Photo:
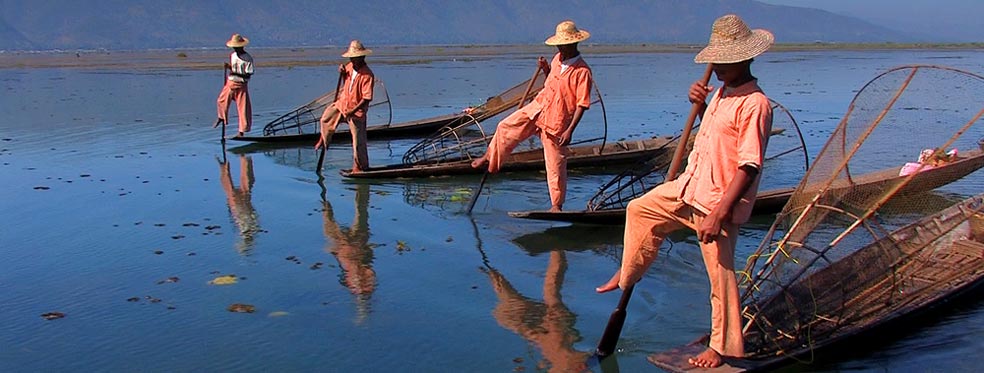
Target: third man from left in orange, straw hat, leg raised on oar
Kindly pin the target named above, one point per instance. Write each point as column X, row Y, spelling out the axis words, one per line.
column 554, row 113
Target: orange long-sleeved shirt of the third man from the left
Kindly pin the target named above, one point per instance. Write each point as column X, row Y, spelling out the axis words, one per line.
column 562, row 92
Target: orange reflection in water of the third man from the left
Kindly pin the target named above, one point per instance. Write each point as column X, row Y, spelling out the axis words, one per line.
column 548, row 324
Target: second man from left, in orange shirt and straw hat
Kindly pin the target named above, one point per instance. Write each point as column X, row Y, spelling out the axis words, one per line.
column 352, row 104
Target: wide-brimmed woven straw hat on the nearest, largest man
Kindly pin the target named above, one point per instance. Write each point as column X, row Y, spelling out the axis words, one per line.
column 732, row 41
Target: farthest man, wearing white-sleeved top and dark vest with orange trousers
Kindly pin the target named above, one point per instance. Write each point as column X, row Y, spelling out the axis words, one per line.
column 240, row 68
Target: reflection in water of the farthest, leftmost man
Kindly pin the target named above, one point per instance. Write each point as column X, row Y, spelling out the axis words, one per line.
column 240, row 202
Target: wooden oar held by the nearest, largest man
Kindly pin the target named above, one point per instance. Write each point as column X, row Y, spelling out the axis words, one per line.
column 615, row 322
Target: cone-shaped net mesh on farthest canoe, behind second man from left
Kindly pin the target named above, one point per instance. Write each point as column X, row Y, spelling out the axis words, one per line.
column 305, row 119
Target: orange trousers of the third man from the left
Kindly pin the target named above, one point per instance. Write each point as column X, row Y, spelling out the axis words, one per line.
column 518, row 127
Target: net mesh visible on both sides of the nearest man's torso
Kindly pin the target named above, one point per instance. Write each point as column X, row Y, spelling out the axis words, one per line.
column 786, row 151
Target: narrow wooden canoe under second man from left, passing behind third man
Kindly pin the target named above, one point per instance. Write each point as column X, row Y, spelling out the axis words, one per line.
column 580, row 156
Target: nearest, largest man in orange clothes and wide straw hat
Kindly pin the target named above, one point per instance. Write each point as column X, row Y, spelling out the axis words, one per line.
column 715, row 193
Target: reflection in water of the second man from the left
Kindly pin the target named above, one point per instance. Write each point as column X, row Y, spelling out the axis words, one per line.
column 352, row 250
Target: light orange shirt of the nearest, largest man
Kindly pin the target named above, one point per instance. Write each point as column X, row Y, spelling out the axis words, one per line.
column 734, row 132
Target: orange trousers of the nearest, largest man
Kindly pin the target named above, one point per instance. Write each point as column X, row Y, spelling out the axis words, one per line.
column 654, row 215
